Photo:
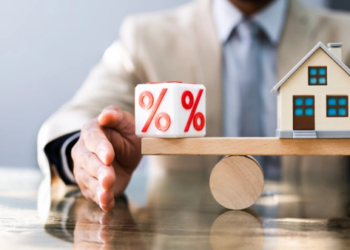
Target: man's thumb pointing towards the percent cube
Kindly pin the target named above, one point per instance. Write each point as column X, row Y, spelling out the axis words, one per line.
column 114, row 117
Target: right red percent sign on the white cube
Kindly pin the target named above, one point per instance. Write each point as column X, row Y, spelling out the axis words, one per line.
column 194, row 117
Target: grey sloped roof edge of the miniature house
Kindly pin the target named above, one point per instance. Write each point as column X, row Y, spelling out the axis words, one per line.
column 320, row 45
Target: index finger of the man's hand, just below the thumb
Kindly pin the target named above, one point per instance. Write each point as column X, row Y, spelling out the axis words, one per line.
column 96, row 141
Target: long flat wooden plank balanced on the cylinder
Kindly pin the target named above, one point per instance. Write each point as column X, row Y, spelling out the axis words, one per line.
column 244, row 146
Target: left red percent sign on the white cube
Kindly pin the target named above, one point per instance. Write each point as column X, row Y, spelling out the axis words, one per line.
column 160, row 116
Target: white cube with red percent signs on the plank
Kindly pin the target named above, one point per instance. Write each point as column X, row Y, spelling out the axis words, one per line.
column 170, row 109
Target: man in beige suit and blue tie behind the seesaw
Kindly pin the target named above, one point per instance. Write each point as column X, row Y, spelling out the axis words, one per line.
column 238, row 49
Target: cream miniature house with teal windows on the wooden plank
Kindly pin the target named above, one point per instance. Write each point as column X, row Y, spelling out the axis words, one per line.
column 313, row 96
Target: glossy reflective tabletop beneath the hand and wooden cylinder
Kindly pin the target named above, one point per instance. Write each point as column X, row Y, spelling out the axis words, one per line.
column 172, row 211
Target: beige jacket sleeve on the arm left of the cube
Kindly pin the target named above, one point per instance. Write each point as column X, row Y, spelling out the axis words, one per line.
column 111, row 82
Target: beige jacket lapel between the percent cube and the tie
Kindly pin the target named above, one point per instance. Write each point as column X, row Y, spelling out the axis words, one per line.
column 208, row 64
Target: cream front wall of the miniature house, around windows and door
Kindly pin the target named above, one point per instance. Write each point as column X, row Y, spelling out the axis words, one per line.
column 338, row 83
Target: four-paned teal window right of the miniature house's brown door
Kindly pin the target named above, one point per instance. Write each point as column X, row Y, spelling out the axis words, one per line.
column 337, row 106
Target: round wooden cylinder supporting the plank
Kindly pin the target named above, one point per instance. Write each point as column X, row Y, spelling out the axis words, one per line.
column 237, row 182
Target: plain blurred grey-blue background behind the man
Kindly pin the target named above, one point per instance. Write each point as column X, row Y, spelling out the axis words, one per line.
column 47, row 49
